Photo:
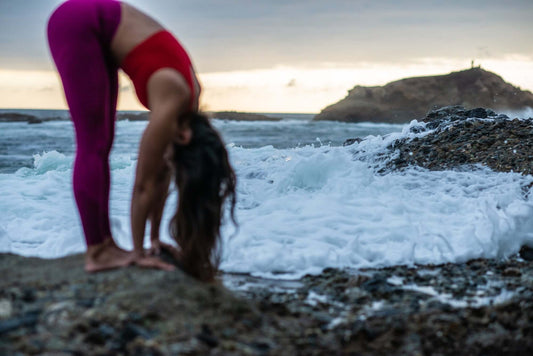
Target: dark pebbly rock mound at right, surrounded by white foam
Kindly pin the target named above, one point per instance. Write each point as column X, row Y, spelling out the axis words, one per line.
column 467, row 137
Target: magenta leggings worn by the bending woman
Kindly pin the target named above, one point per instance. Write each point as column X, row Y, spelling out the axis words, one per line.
column 79, row 35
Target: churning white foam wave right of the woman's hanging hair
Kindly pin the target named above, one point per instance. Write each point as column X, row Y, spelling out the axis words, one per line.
column 305, row 209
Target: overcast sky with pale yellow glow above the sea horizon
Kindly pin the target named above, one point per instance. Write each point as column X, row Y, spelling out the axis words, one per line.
column 268, row 55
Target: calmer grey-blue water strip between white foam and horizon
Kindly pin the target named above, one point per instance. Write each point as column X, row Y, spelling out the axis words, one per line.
column 20, row 141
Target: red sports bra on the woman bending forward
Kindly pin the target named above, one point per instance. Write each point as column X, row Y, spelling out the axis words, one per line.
column 161, row 50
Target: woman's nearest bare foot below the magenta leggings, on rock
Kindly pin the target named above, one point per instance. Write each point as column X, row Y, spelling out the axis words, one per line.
column 105, row 256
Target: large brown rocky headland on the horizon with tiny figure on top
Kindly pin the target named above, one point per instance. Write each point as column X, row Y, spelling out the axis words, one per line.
column 411, row 98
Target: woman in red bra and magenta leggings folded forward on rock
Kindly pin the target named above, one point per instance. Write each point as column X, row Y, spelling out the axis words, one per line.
column 89, row 41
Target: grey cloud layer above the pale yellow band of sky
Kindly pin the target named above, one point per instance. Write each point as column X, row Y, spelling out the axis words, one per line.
column 243, row 34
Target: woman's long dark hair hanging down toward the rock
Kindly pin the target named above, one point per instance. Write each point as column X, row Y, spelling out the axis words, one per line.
column 205, row 180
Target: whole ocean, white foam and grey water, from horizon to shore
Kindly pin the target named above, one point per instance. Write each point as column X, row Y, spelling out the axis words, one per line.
column 305, row 201
